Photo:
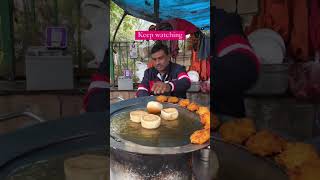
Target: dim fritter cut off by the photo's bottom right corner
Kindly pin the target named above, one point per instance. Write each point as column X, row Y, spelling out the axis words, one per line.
column 309, row 170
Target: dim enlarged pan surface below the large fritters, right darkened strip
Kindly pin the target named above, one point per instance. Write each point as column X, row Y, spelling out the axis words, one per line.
column 236, row 162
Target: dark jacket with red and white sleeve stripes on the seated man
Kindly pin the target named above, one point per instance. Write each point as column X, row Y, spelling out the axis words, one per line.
column 176, row 77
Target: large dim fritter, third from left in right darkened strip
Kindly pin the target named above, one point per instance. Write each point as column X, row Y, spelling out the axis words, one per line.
column 295, row 154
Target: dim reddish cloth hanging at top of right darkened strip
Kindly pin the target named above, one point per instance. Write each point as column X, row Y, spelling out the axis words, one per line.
column 289, row 19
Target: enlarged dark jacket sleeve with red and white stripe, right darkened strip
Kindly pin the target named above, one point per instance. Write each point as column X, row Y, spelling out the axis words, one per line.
column 235, row 66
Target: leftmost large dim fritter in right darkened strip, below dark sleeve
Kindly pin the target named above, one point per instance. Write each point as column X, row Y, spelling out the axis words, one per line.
column 237, row 131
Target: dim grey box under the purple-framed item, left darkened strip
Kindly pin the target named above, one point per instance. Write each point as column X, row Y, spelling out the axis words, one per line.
column 48, row 71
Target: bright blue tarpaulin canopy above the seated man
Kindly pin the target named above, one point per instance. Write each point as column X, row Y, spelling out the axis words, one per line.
column 194, row 11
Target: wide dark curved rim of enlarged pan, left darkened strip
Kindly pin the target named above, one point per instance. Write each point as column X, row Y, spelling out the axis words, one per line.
column 38, row 143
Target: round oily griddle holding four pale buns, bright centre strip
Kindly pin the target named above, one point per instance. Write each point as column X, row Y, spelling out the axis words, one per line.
column 172, row 137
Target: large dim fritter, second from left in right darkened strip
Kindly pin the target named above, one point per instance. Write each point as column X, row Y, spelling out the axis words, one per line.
column 265, row 143
